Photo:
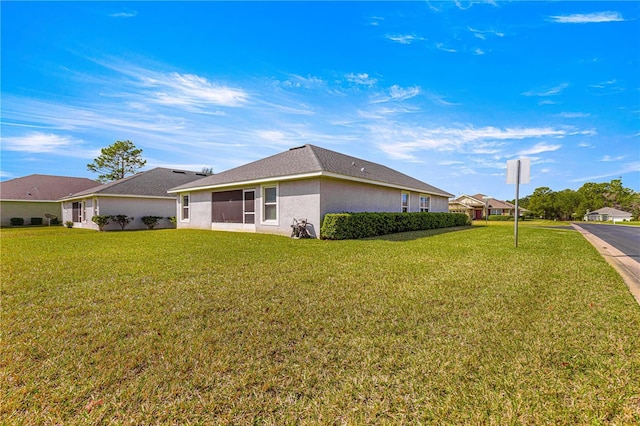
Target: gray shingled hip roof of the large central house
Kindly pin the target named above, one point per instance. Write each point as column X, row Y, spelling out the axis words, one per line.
column 311, row 159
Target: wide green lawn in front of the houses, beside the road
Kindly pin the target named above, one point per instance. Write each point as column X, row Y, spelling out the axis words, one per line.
column 202, row 327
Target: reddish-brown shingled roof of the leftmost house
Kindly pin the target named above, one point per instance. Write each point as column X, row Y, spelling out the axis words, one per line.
column 43, row 187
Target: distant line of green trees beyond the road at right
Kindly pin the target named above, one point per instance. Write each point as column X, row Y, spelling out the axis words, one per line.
column 573, row 205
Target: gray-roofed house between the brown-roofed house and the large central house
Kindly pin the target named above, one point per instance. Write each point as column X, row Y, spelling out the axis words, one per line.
column 142, row 194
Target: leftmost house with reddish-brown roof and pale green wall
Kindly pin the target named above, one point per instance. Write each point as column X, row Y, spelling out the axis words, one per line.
column 34, row 198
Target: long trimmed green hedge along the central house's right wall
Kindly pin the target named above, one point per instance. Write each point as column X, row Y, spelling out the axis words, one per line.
column 346, row 226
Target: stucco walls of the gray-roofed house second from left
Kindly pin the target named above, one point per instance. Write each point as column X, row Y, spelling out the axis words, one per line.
column 132, row 207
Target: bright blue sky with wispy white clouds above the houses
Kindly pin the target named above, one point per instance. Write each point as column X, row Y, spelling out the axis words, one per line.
column 446, row 92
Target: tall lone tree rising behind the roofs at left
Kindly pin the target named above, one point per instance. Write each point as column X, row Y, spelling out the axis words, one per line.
column 117, row 161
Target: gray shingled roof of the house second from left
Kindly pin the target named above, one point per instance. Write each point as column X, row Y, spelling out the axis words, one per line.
column 152, row 183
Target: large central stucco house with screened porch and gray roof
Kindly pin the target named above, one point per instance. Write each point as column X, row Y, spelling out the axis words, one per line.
column 306, row 182
